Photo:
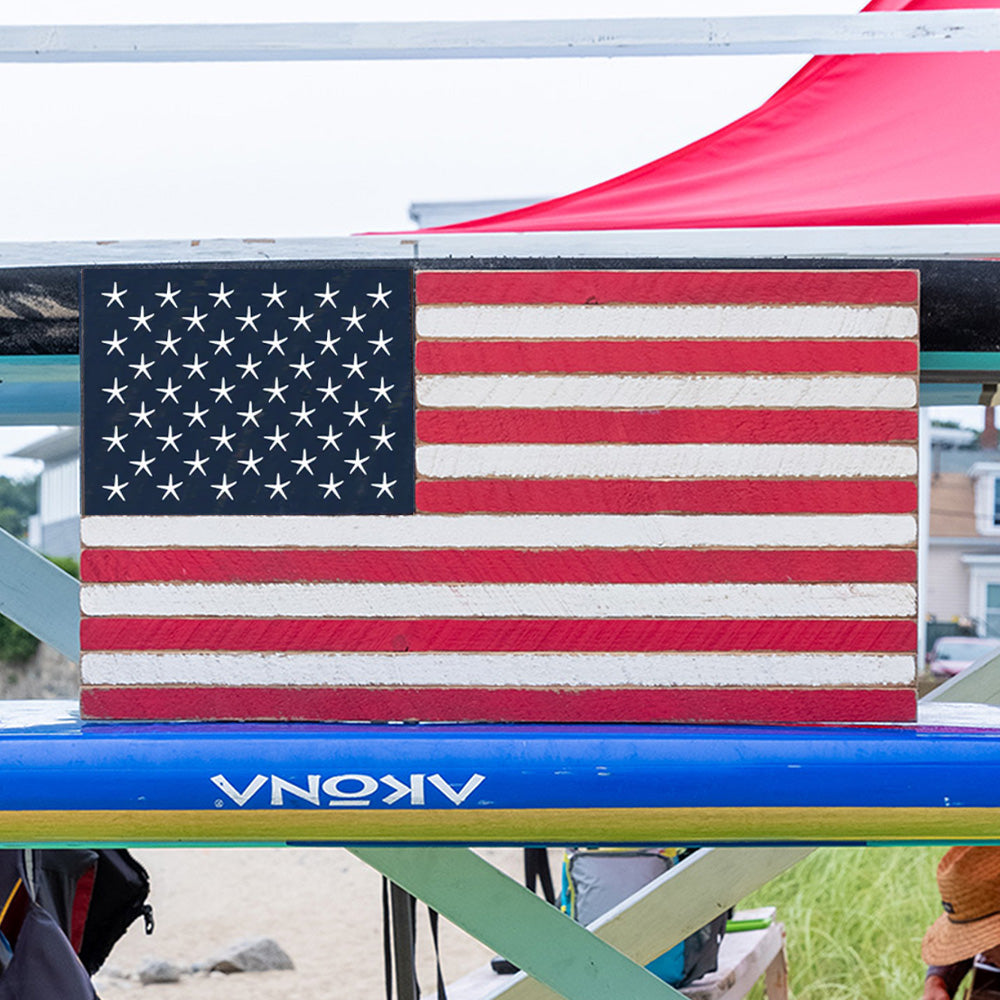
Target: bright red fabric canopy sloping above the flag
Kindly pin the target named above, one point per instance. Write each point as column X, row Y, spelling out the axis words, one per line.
column 859, row 140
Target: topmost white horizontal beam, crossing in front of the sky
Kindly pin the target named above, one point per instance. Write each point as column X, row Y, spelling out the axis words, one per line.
column 924, row 31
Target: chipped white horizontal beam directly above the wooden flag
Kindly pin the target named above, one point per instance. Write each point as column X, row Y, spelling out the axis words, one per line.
column 801, row 241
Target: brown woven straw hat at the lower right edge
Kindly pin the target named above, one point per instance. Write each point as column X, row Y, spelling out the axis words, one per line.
column 969, row 882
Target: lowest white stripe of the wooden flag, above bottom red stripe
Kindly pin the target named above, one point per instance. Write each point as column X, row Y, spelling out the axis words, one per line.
column 522, row 669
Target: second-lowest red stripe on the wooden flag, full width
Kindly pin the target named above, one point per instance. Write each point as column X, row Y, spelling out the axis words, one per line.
column 419, row 635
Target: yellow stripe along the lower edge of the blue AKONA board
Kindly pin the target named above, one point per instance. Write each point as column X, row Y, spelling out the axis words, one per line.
column 489, row 826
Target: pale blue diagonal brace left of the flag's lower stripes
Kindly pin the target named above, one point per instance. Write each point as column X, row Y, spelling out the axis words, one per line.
column 39, row 596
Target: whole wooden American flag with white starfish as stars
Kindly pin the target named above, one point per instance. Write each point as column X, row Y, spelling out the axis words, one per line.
column 583, row 495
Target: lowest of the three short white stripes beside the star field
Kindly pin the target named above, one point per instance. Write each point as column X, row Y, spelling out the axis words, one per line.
column 666, row 461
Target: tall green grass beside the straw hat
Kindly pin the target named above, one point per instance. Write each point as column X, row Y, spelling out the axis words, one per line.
column 854, row 919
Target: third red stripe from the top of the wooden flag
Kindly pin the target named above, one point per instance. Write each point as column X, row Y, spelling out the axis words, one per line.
column 685, row 426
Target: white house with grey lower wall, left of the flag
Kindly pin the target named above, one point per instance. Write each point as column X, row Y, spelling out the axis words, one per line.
column 55, row 529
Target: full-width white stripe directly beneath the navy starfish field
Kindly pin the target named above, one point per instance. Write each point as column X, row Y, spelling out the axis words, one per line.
column 504, row 531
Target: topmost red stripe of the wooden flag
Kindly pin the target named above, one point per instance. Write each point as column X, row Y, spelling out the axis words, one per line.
column 689, row 287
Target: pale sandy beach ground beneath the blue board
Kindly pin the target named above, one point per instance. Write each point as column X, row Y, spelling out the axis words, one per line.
column 322, row 906
